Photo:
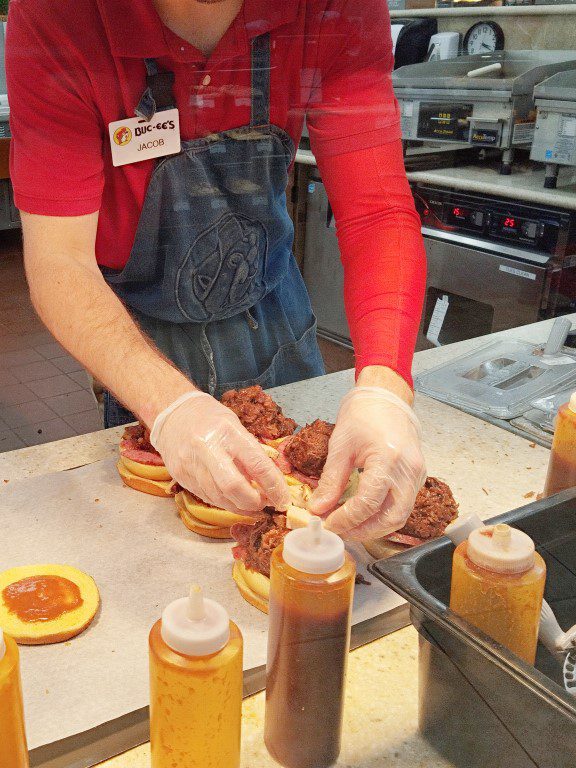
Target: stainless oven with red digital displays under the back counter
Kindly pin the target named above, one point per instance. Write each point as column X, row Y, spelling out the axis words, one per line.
column 493, row 264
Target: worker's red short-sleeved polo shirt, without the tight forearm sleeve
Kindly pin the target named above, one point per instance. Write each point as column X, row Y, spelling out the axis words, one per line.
column 76, row 65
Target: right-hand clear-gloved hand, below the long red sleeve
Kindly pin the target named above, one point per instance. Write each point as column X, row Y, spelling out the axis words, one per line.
column 379, row 432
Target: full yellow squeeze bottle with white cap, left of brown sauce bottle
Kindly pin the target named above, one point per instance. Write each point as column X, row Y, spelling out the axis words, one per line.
column 195, row 686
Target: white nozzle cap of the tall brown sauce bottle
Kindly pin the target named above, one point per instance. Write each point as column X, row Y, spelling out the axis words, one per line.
column 313, row 549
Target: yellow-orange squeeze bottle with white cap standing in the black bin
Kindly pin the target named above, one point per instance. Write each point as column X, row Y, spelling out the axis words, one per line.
column 498, row 585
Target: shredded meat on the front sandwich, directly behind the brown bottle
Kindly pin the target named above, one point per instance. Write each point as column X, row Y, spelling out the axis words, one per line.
column 257, row 542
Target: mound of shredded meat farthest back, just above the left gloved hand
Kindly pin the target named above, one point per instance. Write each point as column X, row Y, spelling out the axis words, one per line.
column 259, row 413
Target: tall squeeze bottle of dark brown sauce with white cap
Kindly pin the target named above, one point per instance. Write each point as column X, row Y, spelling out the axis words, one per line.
column 311, row 593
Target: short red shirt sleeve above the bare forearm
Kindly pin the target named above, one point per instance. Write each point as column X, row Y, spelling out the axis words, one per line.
column 56, row 158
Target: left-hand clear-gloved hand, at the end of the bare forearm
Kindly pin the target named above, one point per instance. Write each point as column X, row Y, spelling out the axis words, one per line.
column 208, row 451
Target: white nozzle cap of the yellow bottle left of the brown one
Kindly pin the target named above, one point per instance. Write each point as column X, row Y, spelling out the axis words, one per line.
column 194, row 625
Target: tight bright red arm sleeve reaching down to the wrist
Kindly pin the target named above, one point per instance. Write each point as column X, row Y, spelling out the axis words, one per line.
column 382, row 253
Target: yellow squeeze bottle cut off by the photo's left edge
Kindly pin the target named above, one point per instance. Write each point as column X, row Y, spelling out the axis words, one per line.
column 13, row 749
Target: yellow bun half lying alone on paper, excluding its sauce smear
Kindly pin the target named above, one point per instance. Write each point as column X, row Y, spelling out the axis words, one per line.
column 57, row 630
